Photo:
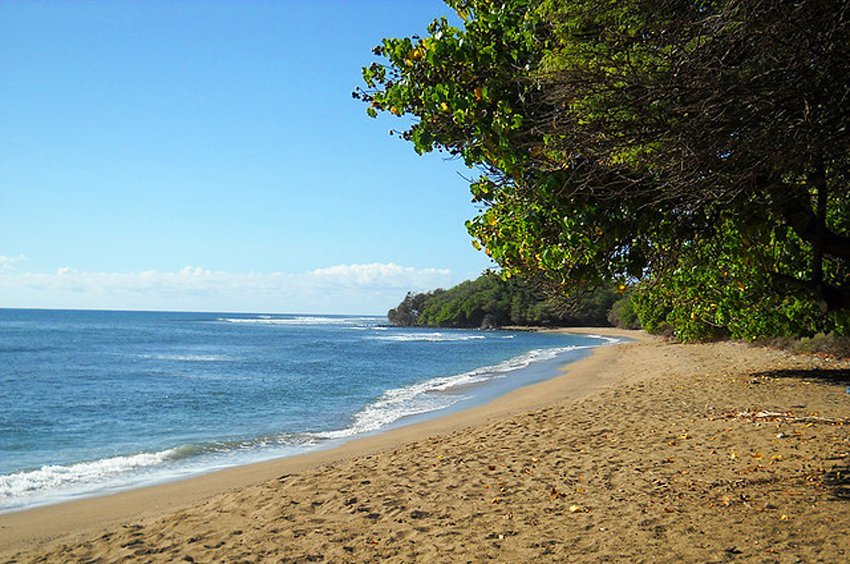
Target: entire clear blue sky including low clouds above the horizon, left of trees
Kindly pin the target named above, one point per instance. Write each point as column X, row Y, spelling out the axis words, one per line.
column 207, row 155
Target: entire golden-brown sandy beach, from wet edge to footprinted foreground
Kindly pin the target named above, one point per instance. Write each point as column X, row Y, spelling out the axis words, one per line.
column 645, row 451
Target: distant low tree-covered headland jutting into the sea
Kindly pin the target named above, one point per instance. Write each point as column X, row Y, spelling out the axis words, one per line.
column 489, row 301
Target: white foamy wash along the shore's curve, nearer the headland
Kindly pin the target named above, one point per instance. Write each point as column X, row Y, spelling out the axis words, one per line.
column 434, row 394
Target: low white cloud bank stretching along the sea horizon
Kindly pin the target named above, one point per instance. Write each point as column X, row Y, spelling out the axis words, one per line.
column 348, row 288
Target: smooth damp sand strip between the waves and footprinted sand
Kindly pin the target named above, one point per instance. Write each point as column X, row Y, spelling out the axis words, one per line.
column 75, row 518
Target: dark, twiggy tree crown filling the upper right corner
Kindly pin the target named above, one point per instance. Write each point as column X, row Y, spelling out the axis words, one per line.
column 729, row 109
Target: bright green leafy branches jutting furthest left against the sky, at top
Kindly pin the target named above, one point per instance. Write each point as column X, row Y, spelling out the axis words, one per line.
column 461, row 83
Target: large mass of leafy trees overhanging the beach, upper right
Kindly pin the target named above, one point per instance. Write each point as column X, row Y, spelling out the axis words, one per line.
column 696, row 153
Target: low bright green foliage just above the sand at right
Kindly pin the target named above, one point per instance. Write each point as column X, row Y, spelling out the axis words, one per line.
column 722, row 287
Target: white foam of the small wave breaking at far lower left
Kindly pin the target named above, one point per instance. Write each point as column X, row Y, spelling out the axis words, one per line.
column 52, row 478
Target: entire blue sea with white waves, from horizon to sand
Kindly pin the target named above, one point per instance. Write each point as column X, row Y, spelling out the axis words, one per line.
column 92, row 402
